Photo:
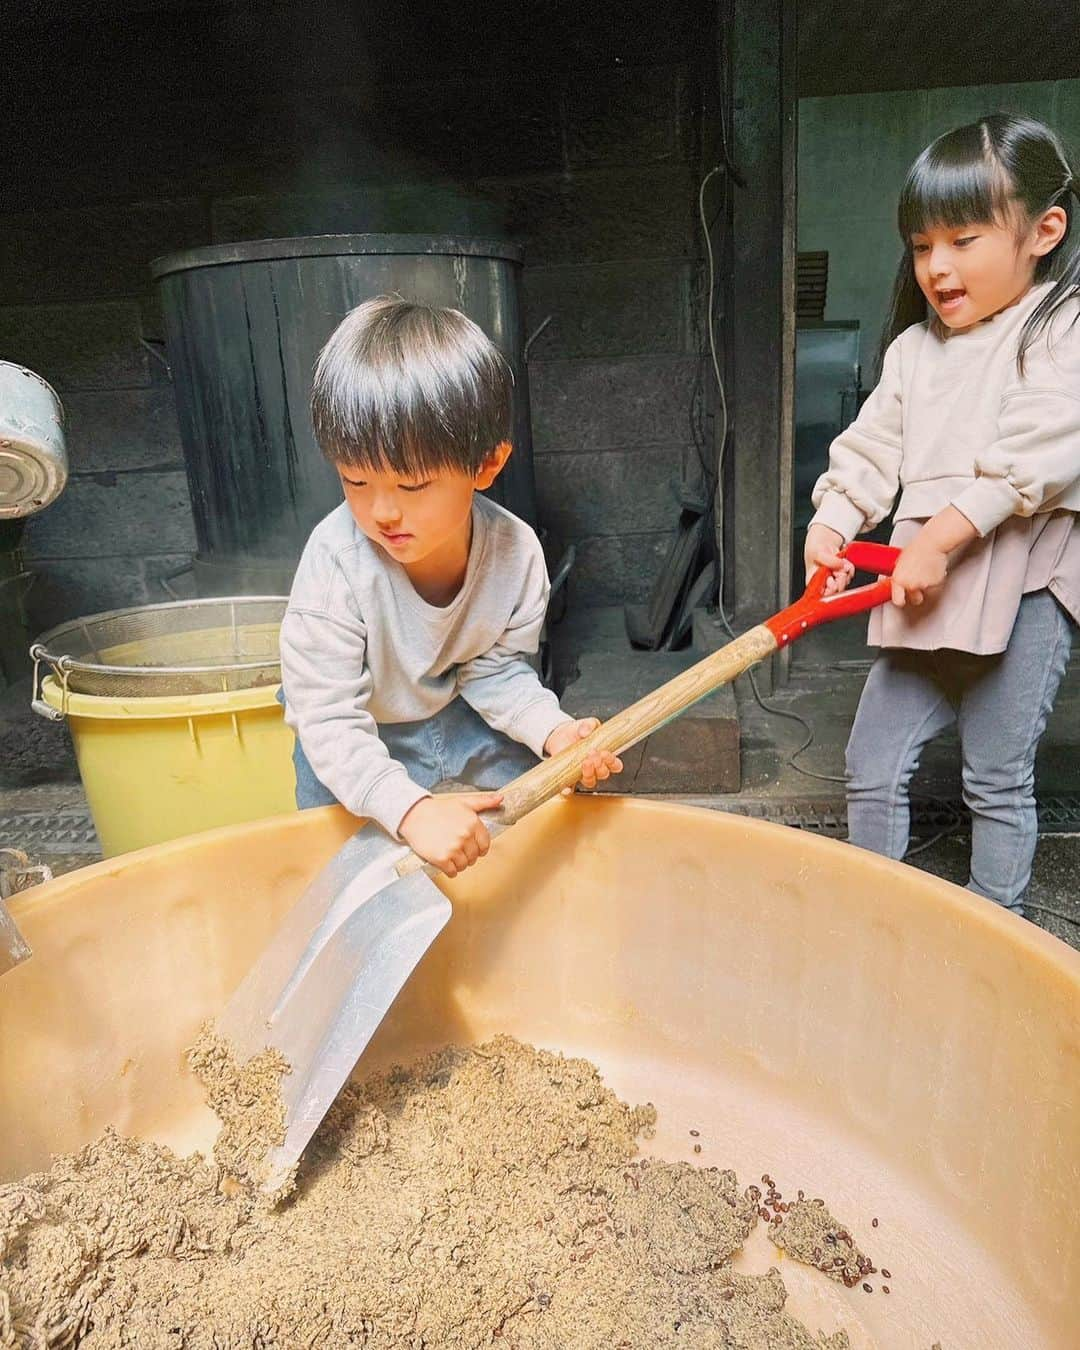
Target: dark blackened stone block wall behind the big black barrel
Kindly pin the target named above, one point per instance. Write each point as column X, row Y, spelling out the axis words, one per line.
column 148, row 128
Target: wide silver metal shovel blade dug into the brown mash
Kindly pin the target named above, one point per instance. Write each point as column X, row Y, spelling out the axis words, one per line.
column 329, row 978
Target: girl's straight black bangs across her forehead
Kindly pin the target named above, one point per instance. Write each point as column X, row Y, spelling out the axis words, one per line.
column 950, row 190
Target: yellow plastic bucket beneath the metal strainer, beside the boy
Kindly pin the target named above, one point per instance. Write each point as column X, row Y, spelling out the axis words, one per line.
column 159, row 769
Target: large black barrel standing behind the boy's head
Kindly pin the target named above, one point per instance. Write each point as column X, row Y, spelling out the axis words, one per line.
column 244, row 327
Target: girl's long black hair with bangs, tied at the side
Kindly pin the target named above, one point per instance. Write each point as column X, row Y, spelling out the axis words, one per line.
column 981, row 173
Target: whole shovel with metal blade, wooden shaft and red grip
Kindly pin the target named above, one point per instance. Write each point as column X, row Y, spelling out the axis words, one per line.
column 344, row 952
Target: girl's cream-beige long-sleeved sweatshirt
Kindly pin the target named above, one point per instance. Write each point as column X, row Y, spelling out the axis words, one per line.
column 954, row 422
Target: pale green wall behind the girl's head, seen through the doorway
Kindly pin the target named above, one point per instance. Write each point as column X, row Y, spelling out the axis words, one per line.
column 854, row 155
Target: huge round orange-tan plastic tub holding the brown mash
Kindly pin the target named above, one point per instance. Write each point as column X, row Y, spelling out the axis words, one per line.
column 842, row 1023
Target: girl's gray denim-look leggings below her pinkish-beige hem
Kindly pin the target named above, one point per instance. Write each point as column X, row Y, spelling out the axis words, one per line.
column 1000, row 705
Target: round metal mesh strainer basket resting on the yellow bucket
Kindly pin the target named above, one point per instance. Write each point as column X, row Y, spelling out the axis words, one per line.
column 159, row 651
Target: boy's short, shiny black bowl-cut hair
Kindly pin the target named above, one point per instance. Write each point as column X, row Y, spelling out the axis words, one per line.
column 410, row 389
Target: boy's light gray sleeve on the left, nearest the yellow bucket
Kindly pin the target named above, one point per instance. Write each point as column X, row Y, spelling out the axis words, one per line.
column 327, row 689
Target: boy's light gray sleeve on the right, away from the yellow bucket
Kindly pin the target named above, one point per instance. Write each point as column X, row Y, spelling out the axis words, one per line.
column 502, row 685
